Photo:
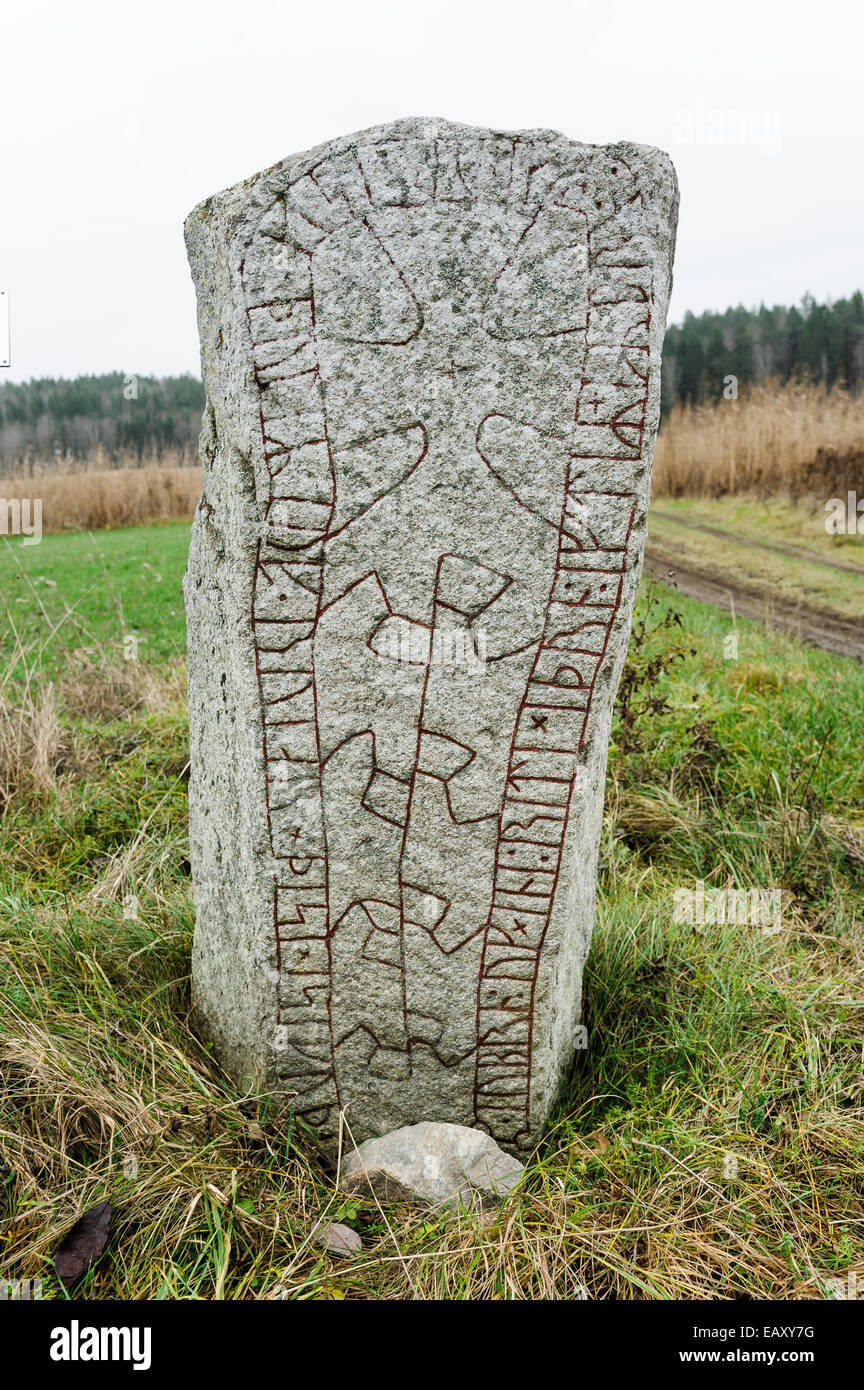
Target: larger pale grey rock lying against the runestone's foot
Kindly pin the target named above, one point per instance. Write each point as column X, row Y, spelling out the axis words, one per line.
column 442, row 1166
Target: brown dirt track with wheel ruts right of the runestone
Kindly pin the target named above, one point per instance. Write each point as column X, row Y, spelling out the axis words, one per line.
column 811, row 625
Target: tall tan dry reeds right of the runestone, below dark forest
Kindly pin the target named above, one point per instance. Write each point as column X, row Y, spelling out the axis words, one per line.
column 792, row 440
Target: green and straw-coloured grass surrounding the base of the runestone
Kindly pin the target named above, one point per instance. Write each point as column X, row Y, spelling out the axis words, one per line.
column 709, row 1142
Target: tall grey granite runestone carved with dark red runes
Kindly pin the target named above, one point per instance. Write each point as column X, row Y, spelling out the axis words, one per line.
column 444, row 347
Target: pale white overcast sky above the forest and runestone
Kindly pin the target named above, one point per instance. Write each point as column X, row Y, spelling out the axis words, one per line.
column 117, row 120
